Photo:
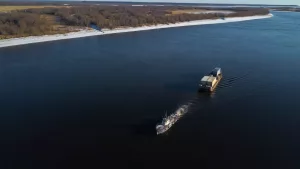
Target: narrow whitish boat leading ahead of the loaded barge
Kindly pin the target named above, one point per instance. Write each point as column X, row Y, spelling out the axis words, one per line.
column 168, row 121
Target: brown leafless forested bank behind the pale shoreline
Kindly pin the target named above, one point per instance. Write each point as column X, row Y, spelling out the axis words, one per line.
column 53, row 20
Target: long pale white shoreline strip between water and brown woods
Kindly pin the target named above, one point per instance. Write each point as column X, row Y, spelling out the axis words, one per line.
column 86, row 33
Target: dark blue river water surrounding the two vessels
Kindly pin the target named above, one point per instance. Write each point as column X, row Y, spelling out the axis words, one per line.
column 94, row 102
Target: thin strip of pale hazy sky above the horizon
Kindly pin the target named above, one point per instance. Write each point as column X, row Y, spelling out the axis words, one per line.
column 279, row 2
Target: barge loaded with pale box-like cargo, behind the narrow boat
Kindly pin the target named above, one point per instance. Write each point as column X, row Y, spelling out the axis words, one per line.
column 211, row 81
